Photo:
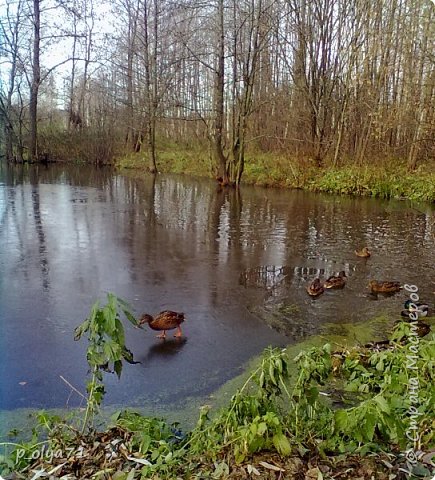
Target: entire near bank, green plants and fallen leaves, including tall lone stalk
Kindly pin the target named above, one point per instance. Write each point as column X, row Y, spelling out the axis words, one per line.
column 341, row 413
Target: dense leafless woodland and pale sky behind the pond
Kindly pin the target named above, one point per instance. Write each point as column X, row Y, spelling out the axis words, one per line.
column 327, row 81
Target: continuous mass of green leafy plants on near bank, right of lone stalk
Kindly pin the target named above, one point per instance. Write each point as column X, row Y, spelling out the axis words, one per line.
column 267, row 415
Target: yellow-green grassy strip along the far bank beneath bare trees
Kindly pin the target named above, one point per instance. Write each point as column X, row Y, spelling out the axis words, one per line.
column 383, row 180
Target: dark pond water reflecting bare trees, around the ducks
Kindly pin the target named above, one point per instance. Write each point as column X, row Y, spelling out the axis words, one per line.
column 234, row 262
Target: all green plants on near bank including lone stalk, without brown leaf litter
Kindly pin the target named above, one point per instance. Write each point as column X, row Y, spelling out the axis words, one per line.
column 337, row 402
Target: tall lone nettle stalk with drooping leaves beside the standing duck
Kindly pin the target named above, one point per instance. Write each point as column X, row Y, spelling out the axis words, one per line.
column 106, row 348
